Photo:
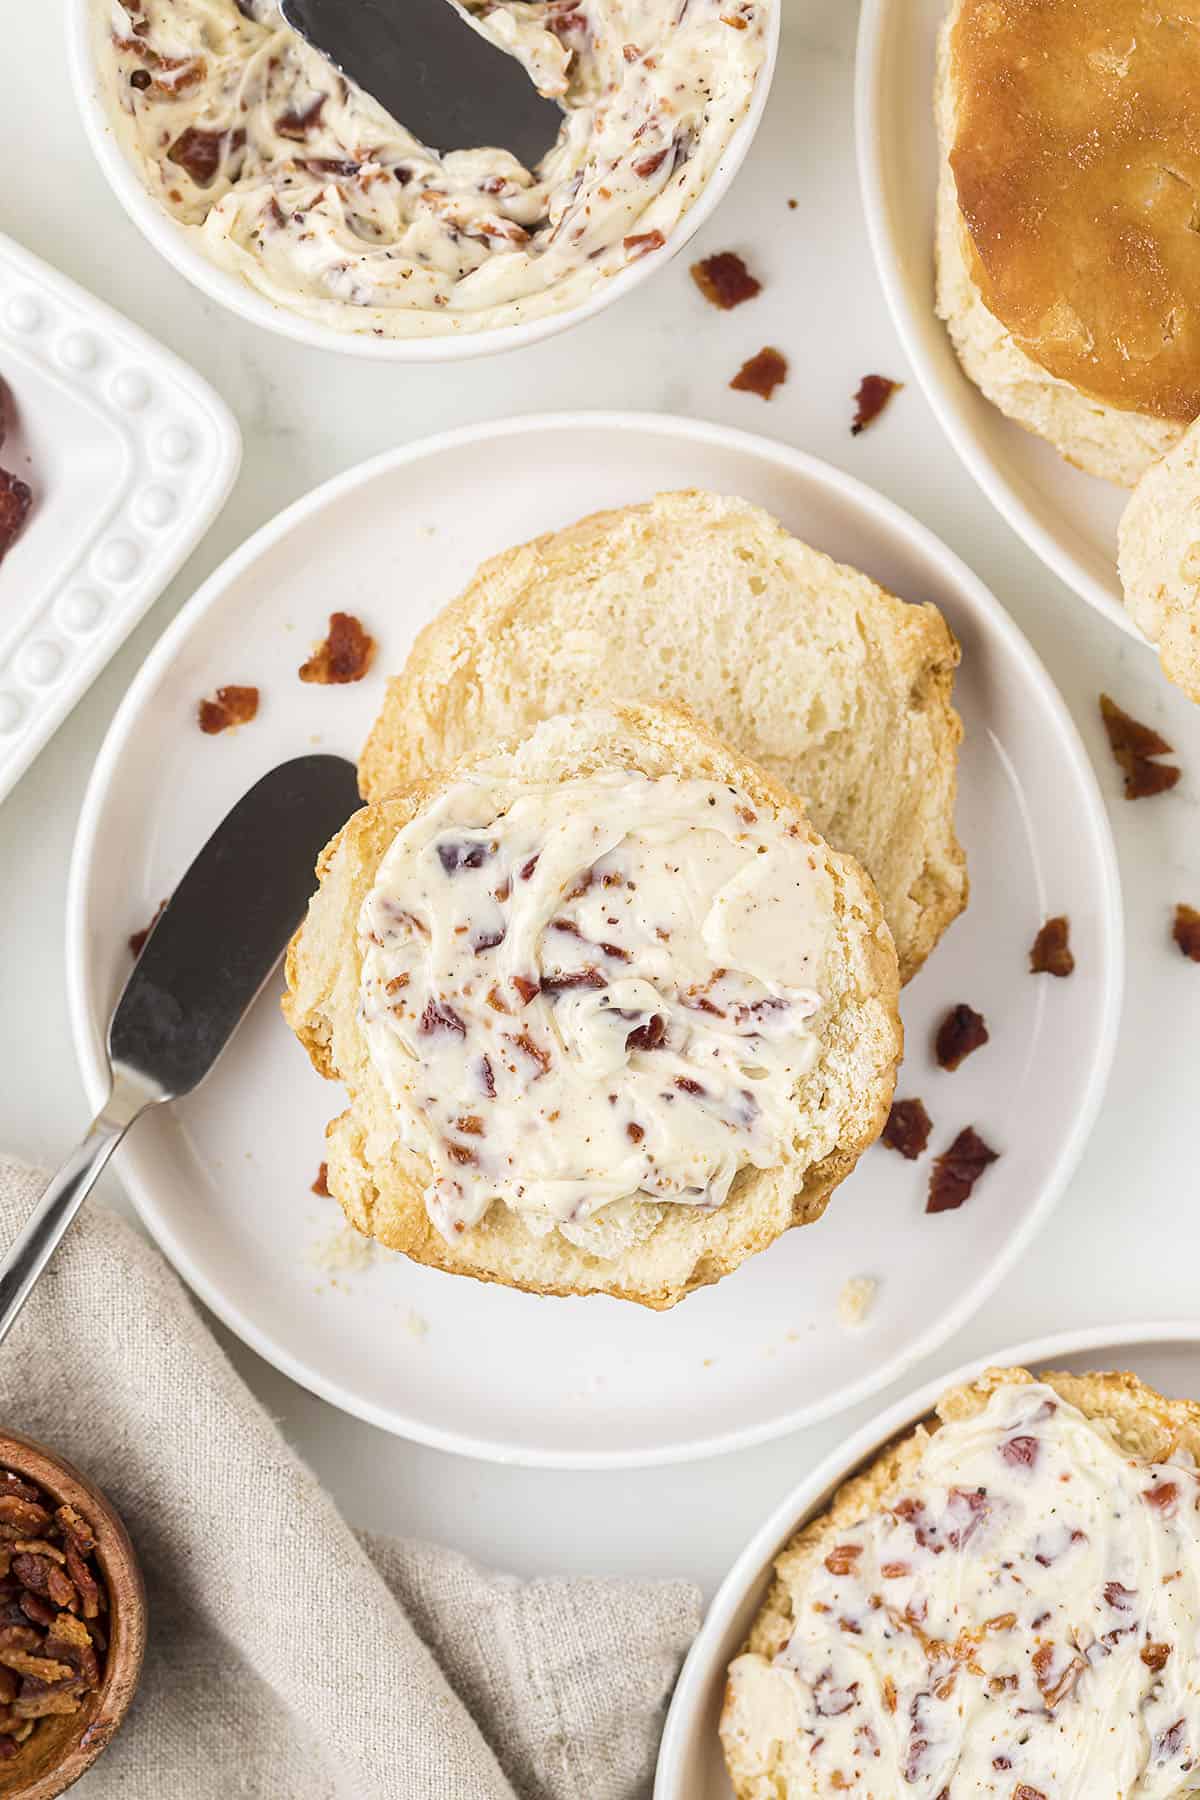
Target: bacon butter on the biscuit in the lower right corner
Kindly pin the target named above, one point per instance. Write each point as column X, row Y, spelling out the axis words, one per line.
column 1021, row 1621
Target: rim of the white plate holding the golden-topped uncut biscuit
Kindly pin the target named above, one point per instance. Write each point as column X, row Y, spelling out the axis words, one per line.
column 949, row 399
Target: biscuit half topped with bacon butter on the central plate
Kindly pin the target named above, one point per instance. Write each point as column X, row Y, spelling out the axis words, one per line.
column 613, row 1018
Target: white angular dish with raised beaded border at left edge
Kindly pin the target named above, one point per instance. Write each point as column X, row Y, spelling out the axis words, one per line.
column 130, row 458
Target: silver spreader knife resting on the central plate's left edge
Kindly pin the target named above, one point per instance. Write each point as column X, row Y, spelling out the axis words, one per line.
column 204, row 966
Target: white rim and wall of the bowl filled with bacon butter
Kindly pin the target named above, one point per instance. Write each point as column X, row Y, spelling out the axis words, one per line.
column 177, row 246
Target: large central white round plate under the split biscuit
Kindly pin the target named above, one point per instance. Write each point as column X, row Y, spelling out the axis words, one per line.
column 224, row 1180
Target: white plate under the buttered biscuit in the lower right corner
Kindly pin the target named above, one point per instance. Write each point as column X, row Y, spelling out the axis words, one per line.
column 690, row 1761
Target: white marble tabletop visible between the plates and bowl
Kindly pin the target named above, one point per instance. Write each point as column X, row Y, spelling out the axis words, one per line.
column 1124, row 1241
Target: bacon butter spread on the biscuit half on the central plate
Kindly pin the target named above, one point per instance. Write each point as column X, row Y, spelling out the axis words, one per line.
column 593, row 994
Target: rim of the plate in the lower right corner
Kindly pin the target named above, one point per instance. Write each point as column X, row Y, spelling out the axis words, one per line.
column 814, row 1491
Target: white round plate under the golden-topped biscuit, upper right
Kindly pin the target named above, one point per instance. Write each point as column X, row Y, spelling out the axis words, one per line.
column 1066, row 517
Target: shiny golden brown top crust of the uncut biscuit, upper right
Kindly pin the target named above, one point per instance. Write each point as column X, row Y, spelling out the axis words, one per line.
column 1077, row 159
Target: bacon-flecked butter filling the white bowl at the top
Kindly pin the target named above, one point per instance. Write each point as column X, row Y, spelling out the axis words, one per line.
column 305, row 186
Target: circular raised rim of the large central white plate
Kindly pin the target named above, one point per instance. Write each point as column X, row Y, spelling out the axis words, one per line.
column 812, row 469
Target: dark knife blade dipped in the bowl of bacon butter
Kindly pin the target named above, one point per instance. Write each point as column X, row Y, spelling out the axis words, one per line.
column 434, row 73
